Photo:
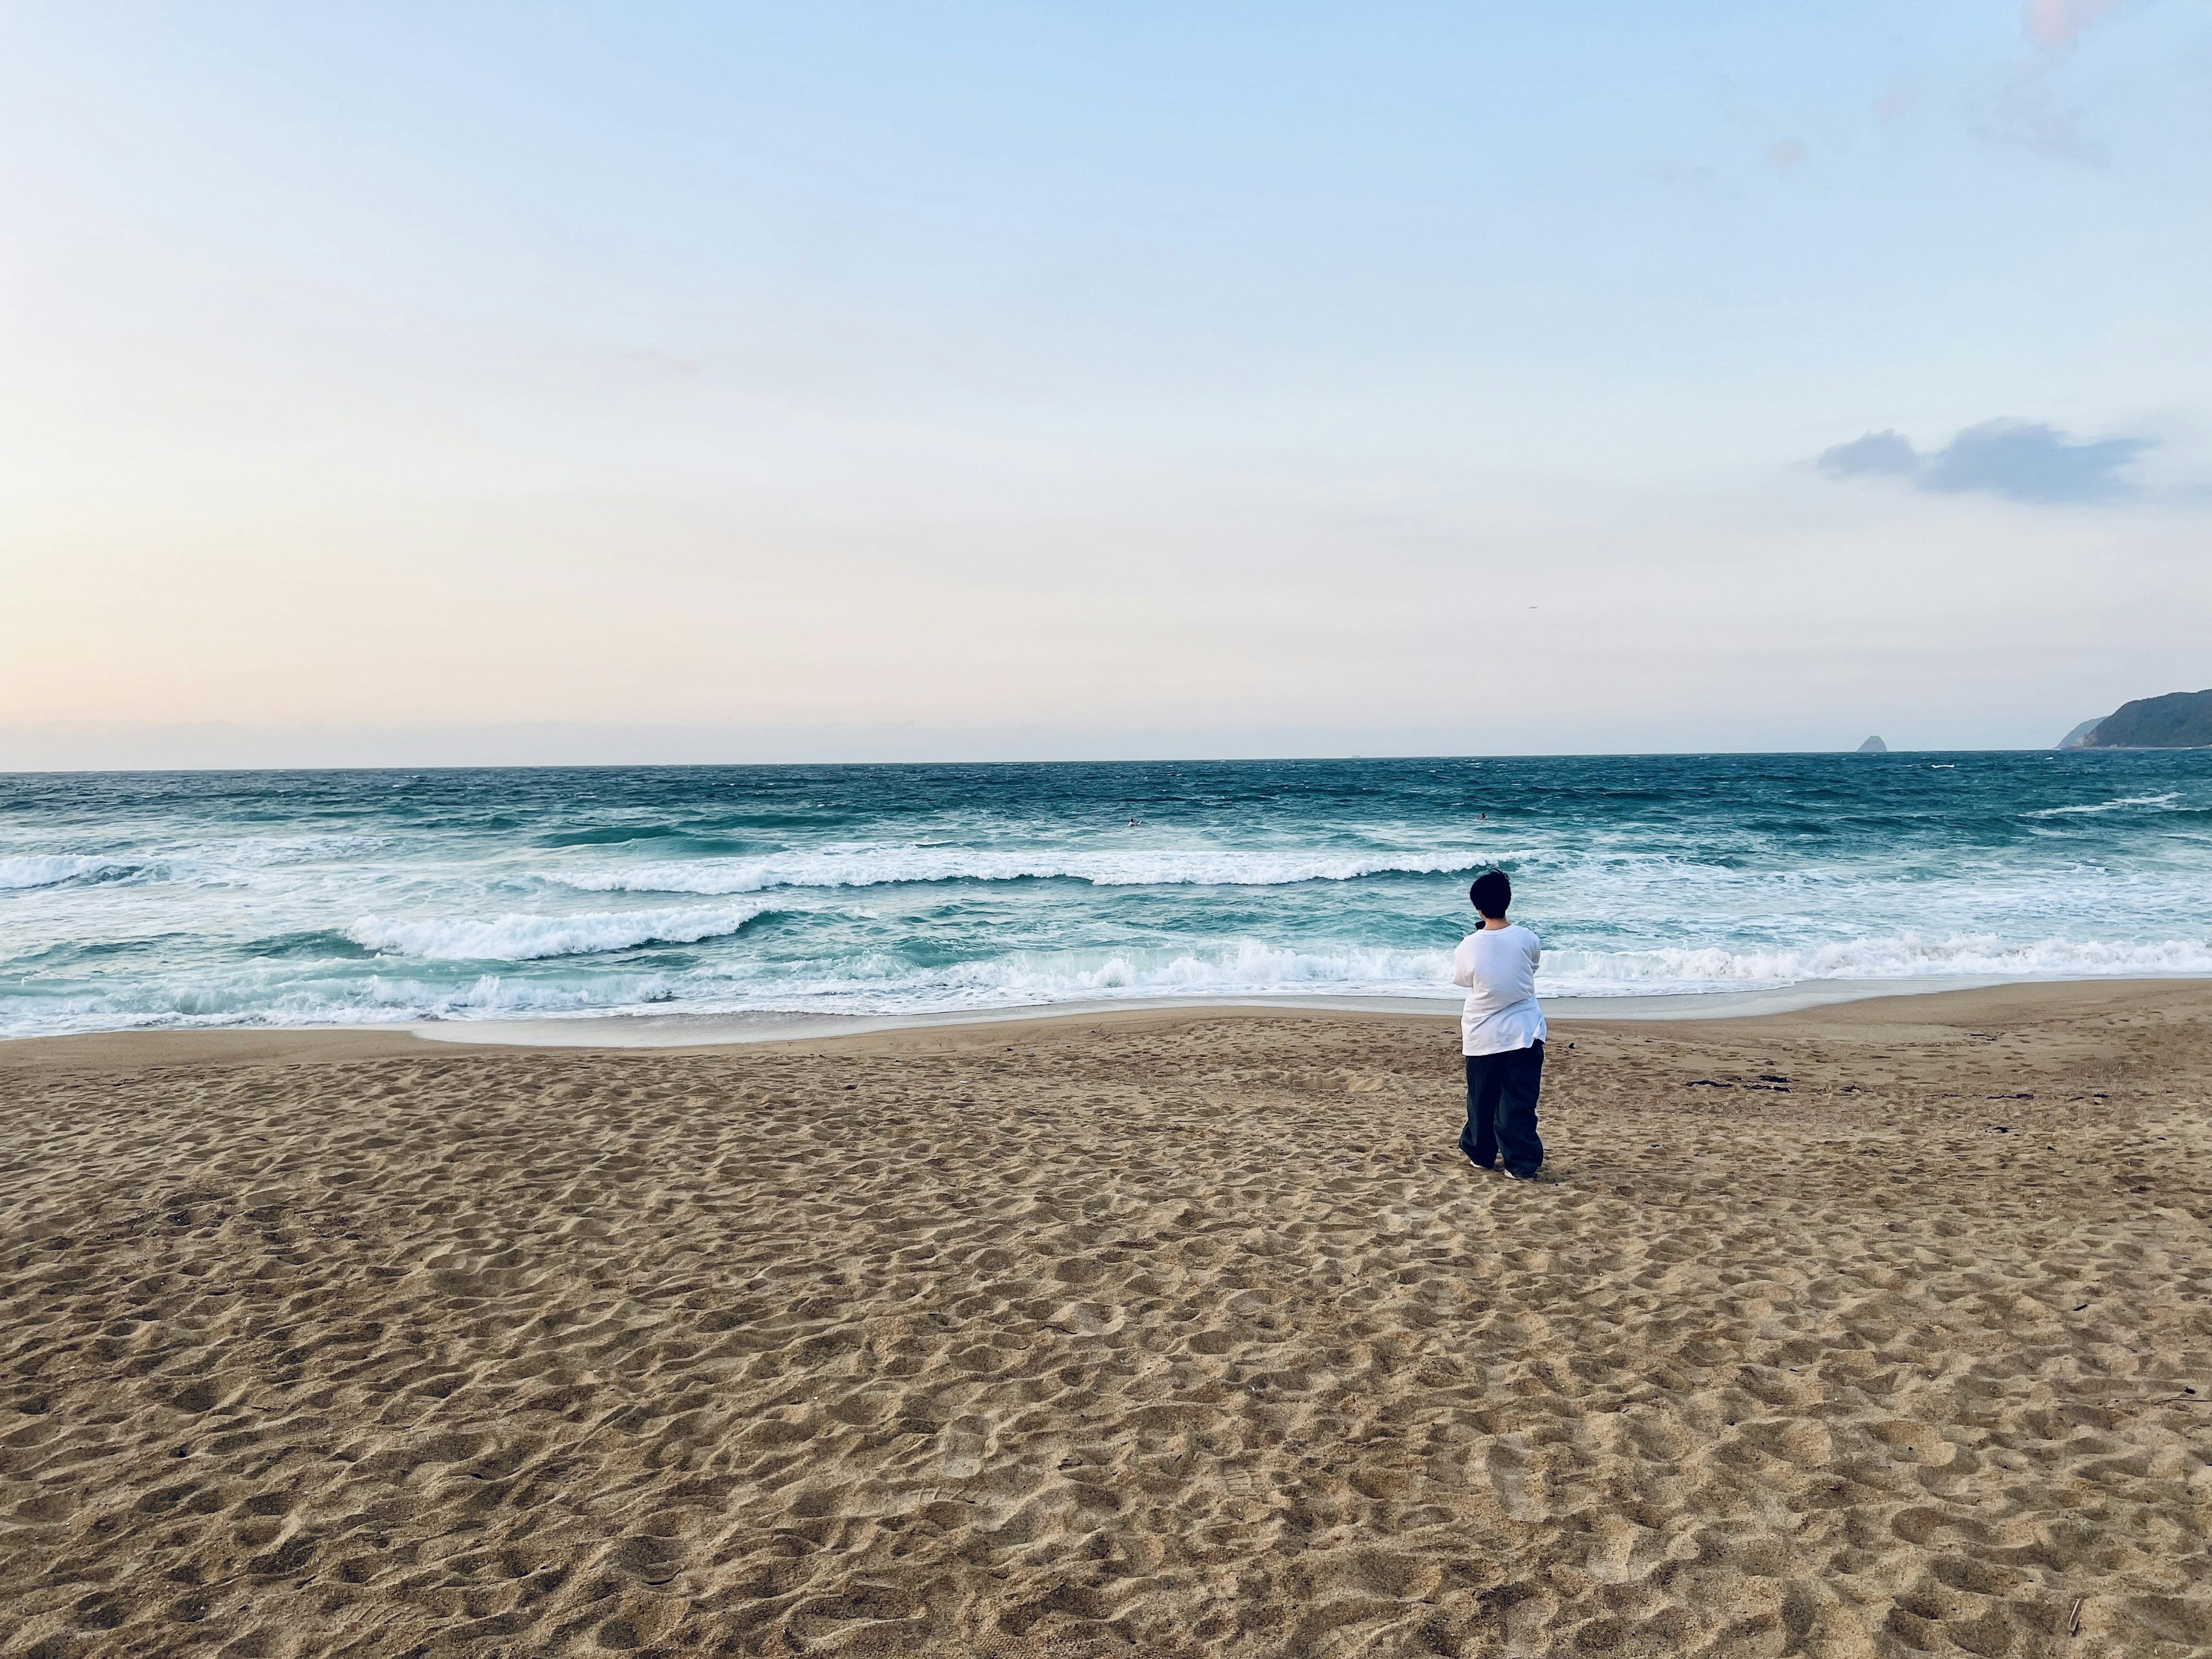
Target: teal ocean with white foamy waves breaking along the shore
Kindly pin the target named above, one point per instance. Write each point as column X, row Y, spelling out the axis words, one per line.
column 282, row 899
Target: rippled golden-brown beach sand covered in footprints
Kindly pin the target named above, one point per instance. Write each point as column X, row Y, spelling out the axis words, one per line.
column 1154, row 1335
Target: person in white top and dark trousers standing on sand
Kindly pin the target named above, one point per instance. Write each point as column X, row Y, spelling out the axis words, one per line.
column 1501, row 1034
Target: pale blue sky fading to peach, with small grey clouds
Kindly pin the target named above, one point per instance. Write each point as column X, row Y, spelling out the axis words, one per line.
column 419, row 384
